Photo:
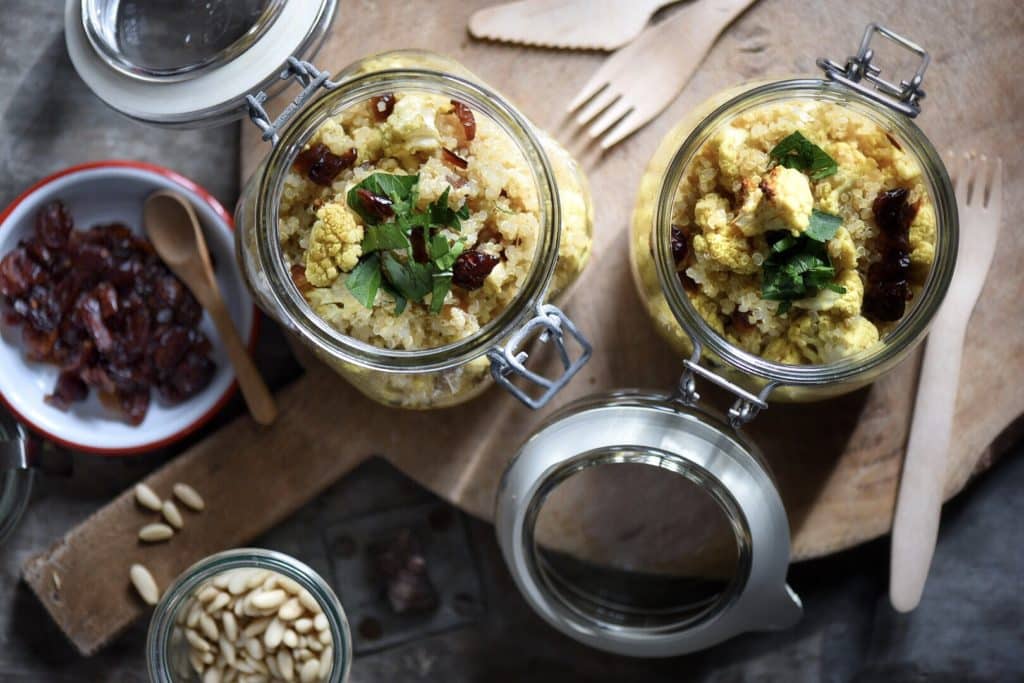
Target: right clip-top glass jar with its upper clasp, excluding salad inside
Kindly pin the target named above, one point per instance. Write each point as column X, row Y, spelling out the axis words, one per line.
column 661, row 285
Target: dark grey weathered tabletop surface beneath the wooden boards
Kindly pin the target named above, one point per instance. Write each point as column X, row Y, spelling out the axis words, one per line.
column 969, row 628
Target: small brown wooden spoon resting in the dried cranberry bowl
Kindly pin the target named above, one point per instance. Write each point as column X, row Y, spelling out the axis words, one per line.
column 176, row 234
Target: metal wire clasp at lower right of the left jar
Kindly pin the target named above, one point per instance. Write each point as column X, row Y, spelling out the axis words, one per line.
column 510, row 360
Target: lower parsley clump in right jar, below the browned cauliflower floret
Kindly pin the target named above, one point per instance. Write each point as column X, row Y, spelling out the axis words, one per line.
column 799, row 267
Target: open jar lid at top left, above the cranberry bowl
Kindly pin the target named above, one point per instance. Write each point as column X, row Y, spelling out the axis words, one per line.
column 189, row 63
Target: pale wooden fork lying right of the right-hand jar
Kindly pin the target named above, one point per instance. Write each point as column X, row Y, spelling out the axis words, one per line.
column 979, row 203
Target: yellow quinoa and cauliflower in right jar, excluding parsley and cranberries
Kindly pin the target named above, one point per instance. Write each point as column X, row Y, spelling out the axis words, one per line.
column 732, row 200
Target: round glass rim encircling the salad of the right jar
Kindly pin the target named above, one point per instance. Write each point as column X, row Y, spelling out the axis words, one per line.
column 907, row 331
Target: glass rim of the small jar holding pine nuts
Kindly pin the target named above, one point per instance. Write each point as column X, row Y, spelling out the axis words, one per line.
column 163, row 621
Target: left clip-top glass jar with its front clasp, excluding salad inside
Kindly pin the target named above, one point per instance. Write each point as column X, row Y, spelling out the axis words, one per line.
column 454, row 373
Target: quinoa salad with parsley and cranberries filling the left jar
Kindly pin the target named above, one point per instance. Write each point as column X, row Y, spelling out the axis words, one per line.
column 409, row 223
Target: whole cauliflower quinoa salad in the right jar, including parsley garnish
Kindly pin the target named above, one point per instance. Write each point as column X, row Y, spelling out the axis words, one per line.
column 801, row 233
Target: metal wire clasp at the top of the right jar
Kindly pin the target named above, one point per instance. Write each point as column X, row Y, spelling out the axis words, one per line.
column 905, row 98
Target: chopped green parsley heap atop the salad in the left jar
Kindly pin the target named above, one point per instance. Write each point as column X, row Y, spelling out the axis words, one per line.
column 387, row 203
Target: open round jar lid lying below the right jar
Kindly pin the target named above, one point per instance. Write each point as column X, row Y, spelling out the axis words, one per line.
column 588, row 519
